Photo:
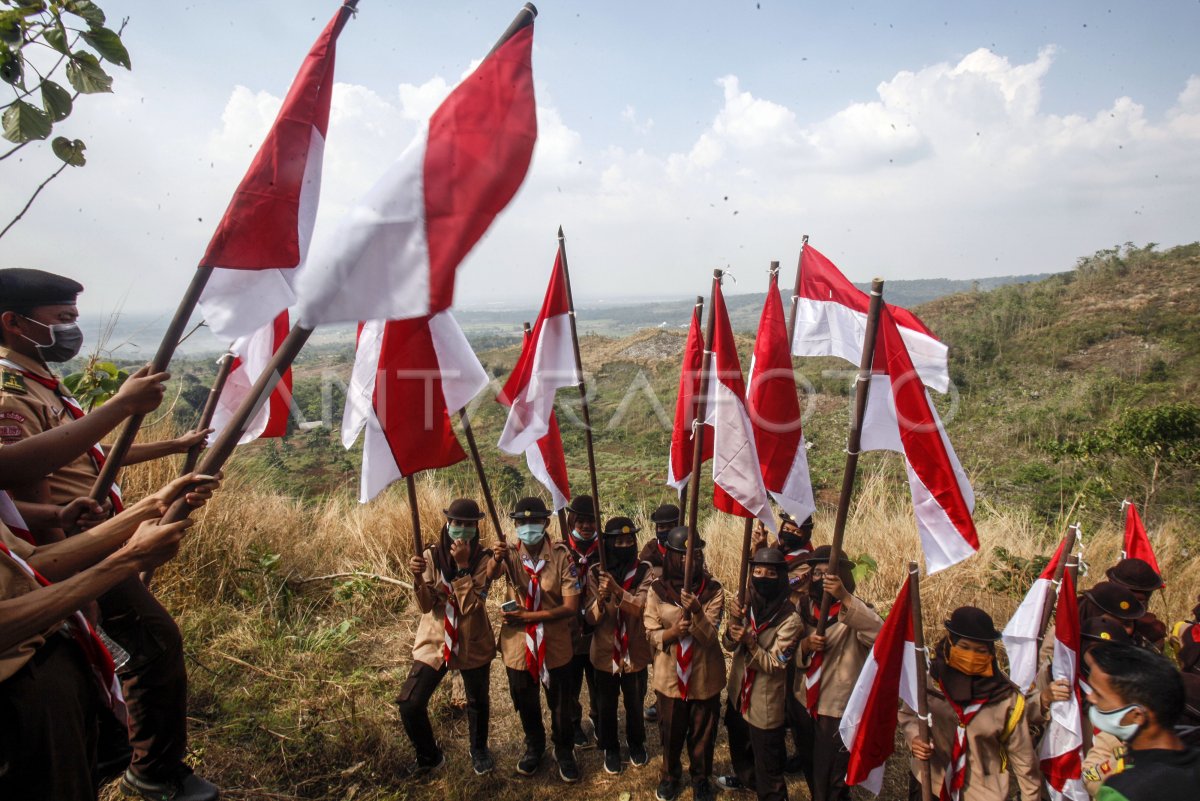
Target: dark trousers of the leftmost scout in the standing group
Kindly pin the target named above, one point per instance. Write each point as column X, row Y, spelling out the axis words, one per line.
column 415, row 708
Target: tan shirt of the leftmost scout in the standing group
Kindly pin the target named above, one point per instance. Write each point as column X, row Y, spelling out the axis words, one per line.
column 477, row 642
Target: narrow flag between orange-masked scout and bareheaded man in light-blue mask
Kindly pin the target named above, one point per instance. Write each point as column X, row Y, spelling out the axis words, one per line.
column 1061, row 751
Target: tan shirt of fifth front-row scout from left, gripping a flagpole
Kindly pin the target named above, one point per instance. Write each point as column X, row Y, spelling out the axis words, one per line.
column 707, row 661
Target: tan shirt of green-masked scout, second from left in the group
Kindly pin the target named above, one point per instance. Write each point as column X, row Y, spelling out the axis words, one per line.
column 559, row 580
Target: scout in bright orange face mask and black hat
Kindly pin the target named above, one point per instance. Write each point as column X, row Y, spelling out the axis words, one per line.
column 980, row 726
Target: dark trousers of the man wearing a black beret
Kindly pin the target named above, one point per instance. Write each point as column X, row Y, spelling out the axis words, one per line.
column 154, row 682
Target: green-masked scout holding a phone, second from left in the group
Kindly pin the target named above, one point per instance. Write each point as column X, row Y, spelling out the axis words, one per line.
column 536, row 640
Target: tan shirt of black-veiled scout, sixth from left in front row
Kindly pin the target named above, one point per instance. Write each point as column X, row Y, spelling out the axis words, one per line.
column 770, row 655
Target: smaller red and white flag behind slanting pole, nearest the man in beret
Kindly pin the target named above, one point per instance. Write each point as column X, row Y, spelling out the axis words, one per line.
column 251, row 357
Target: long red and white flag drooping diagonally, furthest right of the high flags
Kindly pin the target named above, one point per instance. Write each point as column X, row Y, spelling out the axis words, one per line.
column 901, row 417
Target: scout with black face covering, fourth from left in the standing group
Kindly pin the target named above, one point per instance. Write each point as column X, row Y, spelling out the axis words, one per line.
column 615, row 603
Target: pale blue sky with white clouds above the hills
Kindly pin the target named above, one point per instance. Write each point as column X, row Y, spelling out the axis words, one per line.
column 909, row 140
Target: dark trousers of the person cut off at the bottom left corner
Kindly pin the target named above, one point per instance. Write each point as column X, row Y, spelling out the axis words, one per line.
column 49, row 732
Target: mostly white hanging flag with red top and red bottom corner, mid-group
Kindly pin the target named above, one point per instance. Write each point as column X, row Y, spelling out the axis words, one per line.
column 737, row 478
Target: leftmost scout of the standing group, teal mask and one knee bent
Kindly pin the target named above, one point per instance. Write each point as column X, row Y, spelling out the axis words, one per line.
column 451, row 581
